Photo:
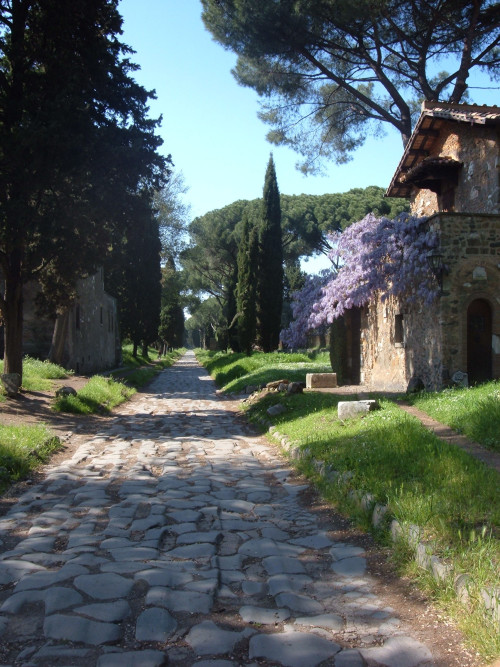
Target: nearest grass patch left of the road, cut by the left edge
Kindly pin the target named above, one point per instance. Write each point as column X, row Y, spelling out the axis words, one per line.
column 22, row 449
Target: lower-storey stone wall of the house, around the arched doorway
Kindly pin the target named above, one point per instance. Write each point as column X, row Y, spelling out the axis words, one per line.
column 430, row 342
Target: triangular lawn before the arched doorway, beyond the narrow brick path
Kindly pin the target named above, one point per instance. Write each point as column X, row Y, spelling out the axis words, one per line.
column 473, row 411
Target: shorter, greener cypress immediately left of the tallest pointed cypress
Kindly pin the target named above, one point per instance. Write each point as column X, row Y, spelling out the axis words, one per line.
column 248, row 252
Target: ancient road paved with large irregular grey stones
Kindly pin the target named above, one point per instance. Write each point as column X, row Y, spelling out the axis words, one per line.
column 177, row 537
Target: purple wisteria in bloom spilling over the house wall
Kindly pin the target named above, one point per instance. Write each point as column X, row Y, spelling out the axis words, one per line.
column 376, row 255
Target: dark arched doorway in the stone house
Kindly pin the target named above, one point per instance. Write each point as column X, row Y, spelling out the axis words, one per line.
column 479, row 331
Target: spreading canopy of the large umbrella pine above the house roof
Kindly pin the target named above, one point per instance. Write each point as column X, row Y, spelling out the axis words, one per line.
column 331, row 73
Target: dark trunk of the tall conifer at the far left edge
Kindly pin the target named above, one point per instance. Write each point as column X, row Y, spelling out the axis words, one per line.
column 13, row 324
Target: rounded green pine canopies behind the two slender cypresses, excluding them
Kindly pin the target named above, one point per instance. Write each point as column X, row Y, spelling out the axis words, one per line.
column 210, row 262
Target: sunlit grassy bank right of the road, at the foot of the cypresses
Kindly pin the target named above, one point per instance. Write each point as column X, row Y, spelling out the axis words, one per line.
column 234, row 371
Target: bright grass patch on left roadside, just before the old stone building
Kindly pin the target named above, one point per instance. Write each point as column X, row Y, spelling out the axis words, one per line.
column 99, row 395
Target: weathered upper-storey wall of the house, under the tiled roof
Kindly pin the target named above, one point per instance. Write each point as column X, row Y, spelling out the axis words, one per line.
column 478, row 189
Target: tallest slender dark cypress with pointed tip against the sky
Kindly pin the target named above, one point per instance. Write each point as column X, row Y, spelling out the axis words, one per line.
column 270, row 276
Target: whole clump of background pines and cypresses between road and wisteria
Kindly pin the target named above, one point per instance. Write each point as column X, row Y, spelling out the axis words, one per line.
column 244, row 260
